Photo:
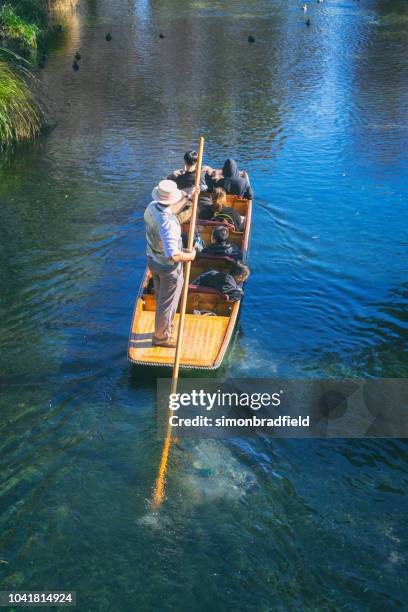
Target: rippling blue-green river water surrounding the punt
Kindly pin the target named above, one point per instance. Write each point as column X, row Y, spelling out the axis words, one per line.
column 318, row 117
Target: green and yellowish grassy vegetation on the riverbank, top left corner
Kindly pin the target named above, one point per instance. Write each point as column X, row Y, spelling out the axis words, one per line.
column 23, row 25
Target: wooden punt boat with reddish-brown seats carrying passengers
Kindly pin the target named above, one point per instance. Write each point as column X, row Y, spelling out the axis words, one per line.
column 206, row 338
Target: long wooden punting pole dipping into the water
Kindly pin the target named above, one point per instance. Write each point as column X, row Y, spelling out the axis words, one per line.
column 158, row 495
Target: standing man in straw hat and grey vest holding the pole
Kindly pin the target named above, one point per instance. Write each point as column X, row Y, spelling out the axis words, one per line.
column 165, row 255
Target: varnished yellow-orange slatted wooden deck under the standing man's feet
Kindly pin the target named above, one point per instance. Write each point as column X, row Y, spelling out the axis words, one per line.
column 203, row 338
